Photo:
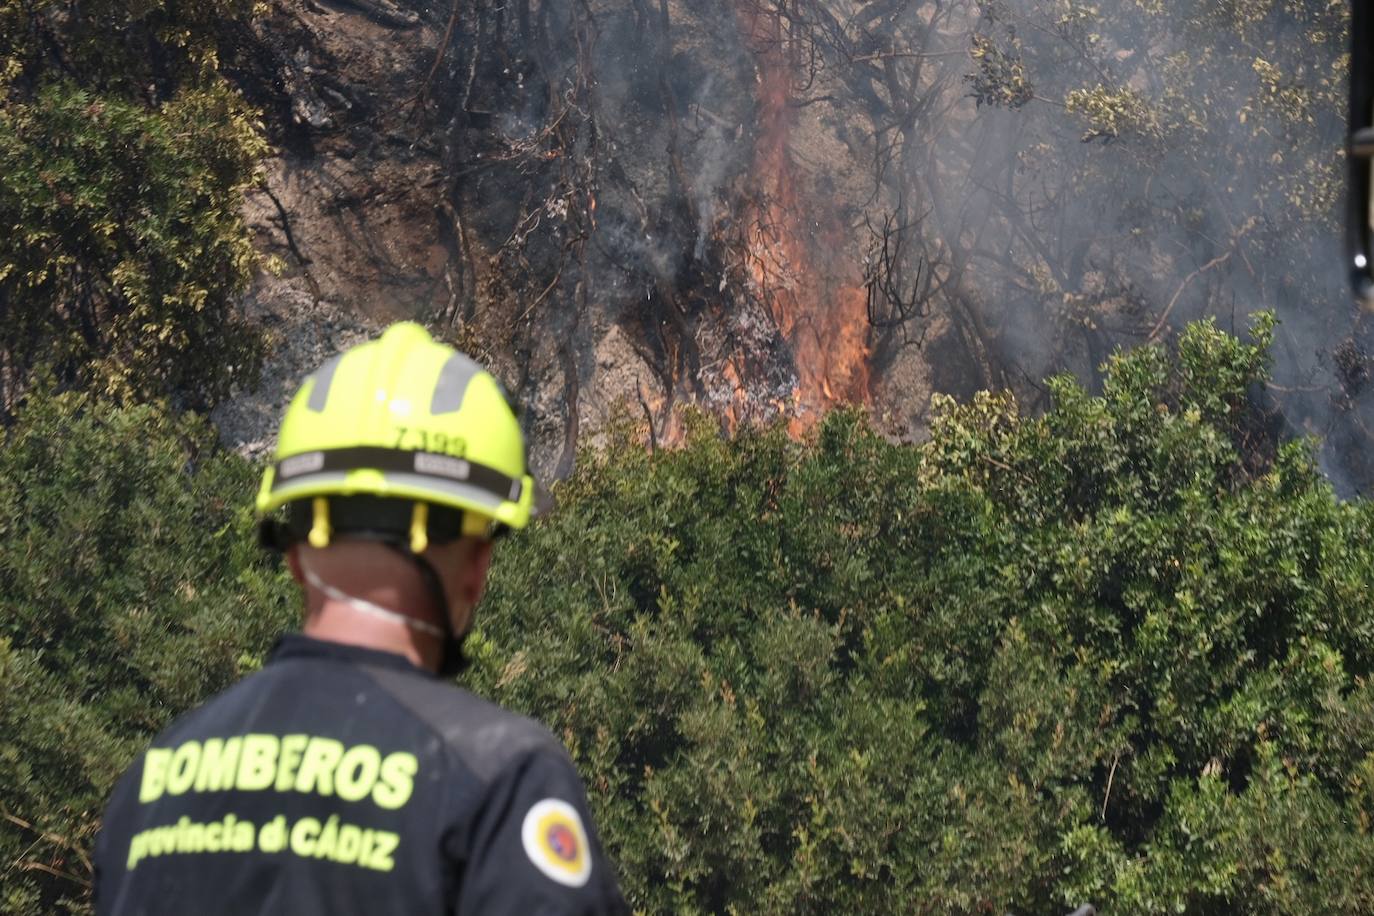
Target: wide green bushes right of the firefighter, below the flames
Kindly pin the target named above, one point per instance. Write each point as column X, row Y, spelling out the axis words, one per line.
column 1108, row 654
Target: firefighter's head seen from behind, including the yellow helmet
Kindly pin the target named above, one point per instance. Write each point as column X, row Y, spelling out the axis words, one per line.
column 396, row 466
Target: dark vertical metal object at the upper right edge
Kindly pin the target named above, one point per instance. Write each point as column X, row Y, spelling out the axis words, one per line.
column 1361, row 204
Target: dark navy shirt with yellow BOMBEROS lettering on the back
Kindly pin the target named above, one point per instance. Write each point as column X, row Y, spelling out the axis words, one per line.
column 347, row 781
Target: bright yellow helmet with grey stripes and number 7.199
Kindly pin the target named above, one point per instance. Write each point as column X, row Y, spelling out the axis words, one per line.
column 403, row 418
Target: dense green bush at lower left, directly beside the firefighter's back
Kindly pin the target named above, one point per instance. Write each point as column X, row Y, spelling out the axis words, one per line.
column 131, row 588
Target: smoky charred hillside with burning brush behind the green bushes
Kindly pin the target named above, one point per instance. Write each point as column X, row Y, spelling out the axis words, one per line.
column 769, row 208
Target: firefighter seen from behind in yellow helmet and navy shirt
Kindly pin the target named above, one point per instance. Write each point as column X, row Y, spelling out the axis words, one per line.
column 350, row 775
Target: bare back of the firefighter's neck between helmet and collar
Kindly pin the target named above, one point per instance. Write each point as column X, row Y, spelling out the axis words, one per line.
column 368, row 595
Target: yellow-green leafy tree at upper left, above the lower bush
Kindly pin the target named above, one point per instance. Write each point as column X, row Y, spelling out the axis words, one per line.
column 124, row 248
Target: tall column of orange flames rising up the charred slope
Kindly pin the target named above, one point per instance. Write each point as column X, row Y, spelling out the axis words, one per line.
column 817, row 301
